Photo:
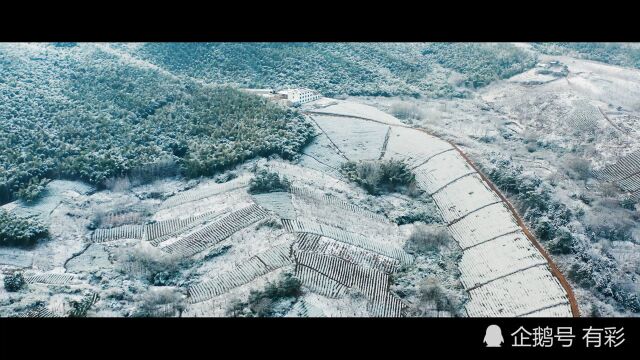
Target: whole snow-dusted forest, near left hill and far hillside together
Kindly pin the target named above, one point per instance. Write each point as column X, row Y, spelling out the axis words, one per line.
column 96, row 111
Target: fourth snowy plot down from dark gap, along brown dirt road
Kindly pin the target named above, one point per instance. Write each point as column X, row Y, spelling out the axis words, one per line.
column 483, row 225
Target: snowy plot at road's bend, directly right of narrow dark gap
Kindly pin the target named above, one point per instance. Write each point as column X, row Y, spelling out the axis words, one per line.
column 413, row 146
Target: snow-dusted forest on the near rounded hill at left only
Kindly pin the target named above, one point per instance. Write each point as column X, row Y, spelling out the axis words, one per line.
column 86, row 112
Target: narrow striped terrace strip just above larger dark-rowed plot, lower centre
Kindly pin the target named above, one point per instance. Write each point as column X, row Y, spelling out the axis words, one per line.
column 353, row 254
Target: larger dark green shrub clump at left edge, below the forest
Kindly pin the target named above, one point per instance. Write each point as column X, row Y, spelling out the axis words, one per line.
column 17, row 231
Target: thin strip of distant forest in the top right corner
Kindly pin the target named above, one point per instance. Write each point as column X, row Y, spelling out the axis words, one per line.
column 622, row 54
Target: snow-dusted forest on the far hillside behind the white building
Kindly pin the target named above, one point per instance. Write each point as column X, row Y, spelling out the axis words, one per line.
column 377, row 69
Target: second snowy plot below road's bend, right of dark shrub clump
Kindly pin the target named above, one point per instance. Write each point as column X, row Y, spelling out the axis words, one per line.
column 441, row 170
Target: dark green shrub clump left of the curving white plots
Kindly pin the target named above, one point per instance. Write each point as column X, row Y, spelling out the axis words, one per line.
column 380, row 176
